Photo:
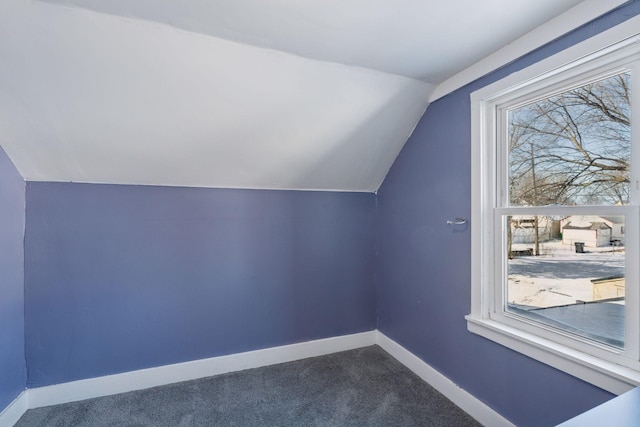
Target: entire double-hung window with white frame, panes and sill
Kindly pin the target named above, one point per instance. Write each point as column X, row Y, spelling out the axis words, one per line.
column 555, row 220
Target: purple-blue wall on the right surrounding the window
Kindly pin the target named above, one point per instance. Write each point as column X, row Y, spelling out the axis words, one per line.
column 425, row 266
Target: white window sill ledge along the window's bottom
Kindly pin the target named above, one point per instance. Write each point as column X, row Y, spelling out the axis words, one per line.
column 606, row 375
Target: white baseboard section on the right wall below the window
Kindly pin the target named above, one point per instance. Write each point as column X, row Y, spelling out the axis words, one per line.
column 470, row 404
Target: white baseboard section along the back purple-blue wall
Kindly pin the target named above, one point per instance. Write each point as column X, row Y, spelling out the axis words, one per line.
column 169, row 374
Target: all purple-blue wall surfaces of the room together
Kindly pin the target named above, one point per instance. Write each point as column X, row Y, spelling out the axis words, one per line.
column 119, row 278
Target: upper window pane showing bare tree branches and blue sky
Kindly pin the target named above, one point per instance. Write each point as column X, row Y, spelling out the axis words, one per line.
column 573, row 148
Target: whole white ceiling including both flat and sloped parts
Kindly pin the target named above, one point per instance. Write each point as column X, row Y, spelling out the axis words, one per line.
column 284, row 94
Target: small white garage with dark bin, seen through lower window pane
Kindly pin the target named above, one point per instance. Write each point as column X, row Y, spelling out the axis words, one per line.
column 592, row 230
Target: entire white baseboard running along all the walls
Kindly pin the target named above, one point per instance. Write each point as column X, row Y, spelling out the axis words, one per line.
column 169, row 374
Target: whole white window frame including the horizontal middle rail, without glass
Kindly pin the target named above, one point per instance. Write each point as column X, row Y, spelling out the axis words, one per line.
column 617, row 371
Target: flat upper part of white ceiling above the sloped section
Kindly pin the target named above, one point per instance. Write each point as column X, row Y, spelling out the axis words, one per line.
column 411, row 38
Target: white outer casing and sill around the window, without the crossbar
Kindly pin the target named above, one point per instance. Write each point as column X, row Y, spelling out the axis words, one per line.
column 607, row 48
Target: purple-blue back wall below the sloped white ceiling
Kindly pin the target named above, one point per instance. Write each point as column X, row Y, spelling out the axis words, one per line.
column 120, row 278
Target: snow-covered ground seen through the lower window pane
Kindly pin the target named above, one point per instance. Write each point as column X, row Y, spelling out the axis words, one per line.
column 560, row 276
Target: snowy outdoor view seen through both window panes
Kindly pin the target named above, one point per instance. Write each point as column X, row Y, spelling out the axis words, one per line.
column 568, row 149
